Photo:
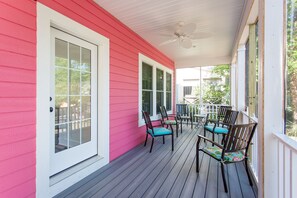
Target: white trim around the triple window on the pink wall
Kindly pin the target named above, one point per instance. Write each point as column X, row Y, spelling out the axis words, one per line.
column 142, row 58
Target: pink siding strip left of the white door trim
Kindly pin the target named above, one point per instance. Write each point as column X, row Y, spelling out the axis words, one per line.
column 17, row 98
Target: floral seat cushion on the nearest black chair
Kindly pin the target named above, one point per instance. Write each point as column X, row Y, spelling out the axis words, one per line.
column 229, row 157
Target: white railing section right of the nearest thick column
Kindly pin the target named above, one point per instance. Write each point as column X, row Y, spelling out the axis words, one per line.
column 287, row 162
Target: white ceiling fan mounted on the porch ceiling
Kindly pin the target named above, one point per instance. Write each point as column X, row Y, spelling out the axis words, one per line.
column 184, row 34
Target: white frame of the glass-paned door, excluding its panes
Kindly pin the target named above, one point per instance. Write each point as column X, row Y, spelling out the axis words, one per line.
column 67, row 158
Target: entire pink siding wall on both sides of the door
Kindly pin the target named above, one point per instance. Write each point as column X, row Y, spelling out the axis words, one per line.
column 18, row 85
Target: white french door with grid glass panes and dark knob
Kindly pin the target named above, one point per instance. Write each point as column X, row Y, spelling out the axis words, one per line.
column 73, row 101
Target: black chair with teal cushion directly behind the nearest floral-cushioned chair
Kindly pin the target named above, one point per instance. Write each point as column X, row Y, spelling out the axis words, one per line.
column 229, row 119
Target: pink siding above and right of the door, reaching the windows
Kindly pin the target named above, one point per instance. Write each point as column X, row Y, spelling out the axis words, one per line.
column 124, row 48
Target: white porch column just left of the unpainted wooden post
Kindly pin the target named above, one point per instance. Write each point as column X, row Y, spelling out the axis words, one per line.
column 240, row 77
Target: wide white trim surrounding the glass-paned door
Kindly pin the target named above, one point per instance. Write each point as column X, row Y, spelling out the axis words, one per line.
column 46, row 18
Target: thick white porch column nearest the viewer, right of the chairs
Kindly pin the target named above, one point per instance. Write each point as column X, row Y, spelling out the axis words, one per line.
column 271, row 93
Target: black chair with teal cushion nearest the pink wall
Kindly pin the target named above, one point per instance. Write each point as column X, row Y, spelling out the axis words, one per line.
column 156, row 130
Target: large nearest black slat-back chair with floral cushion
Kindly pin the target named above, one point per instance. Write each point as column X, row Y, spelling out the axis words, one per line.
column 233, row 149
